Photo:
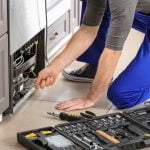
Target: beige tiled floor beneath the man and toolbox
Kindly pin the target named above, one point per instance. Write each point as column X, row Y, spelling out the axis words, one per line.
column 33, row 113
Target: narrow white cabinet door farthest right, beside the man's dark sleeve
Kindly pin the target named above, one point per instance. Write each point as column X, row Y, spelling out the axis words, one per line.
column 75, row 14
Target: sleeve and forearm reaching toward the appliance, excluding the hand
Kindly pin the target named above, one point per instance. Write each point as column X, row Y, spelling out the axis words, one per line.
column 81, row 41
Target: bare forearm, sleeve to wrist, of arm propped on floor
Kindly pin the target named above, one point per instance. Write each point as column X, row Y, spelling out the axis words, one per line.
column 105, row 71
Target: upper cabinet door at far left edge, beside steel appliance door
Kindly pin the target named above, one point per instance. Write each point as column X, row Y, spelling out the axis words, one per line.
column 3, row 17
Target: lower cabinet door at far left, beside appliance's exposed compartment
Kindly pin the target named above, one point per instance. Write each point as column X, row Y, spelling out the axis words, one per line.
column 4, row 80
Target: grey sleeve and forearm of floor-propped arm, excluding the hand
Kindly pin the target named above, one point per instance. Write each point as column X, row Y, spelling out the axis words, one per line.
column 122, row 12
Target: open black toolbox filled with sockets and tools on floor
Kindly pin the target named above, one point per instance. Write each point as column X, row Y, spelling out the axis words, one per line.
column 109, row 132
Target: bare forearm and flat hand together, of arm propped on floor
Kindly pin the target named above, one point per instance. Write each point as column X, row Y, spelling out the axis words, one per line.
column 106, row 68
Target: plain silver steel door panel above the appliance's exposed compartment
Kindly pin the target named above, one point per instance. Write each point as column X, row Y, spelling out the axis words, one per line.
column 27, row 17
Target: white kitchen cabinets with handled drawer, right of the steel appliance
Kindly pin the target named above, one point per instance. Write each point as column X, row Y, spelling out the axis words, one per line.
column 62, row 19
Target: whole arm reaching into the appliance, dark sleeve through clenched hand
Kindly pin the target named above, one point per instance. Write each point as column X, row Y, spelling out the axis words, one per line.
column 77, row 45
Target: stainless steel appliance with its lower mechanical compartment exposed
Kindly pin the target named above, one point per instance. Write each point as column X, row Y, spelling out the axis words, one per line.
column 27, row 22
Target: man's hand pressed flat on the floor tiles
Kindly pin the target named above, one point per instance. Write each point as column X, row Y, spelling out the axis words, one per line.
column 76, row 104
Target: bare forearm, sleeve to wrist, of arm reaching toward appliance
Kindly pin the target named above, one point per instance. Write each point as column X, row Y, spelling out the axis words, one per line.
column 78, row 44
